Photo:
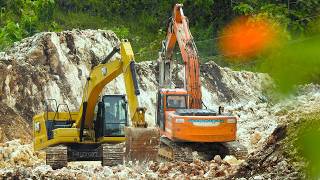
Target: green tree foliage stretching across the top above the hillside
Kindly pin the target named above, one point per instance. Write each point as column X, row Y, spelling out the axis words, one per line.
column 144, row 21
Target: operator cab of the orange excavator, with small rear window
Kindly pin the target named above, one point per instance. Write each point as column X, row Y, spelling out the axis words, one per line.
column 170, row 100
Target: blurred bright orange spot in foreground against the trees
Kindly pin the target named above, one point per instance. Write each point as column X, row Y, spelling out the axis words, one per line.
column 246, row 37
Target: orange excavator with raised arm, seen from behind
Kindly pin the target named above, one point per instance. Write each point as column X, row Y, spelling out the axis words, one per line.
column 184, row 126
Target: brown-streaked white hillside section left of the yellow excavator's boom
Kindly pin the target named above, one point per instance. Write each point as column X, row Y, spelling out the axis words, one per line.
column 47, row 65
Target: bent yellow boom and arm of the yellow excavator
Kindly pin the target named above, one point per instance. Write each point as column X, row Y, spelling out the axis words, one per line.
column 104, row 73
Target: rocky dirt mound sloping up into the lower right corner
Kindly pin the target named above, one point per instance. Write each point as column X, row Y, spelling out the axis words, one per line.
column 278, row 157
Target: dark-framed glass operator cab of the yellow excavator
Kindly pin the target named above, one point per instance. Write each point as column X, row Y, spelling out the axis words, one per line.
column 112, row 116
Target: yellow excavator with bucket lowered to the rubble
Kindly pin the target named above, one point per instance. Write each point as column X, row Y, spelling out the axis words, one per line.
column 97, row 131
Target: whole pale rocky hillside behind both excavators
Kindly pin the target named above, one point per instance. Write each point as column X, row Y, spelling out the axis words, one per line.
column 55, row 65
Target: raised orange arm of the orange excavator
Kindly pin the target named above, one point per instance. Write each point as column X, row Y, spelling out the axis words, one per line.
column 178, row 31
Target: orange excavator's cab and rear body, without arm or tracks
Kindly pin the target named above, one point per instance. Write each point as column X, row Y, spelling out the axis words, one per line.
column 180, row 123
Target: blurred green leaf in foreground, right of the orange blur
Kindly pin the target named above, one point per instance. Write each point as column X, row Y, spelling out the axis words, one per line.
column 295, row 64
